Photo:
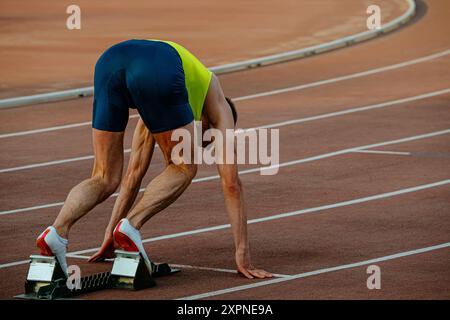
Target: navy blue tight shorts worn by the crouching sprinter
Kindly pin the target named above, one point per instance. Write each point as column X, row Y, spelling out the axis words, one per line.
column 143, row 75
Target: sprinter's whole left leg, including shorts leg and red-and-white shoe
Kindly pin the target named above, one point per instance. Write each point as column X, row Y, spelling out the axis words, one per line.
column 110, row 117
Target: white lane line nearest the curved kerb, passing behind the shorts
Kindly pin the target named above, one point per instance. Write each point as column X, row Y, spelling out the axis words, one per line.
column 262, row 94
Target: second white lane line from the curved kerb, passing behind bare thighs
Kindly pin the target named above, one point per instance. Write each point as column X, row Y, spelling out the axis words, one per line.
column 273, row 125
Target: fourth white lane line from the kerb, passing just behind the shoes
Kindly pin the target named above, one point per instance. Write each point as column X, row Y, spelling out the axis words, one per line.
column 270, row 217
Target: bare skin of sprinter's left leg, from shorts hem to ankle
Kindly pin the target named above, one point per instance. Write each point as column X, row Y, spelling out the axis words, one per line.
column 106, row 176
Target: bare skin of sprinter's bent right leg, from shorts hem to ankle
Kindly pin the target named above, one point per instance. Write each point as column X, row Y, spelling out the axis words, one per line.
column 167, row 186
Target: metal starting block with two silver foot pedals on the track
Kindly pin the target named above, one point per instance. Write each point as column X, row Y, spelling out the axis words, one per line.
column 46, row 280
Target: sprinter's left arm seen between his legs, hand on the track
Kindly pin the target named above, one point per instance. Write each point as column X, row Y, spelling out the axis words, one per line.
column 141, row 153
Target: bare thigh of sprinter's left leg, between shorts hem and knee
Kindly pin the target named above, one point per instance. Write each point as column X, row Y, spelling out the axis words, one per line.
column 108, row 153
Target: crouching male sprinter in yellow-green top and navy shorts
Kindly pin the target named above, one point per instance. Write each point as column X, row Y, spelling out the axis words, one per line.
column 169, row 88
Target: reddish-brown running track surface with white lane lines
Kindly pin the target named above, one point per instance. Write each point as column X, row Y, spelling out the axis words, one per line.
column 365, row 156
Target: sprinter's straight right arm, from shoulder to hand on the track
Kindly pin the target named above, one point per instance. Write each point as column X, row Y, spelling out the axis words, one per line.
column 220, row 117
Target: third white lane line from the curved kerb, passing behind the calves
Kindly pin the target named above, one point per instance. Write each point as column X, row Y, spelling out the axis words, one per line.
column 259, row 169
